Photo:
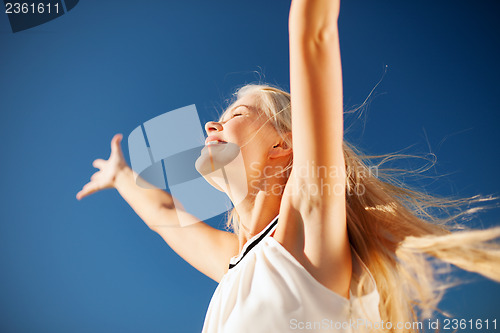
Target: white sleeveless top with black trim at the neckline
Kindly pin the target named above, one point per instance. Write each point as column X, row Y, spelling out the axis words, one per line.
column 267, row 290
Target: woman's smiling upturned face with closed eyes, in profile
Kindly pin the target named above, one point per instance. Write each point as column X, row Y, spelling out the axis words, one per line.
column 241, row 144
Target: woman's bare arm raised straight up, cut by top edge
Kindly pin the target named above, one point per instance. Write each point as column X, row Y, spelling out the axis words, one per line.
column 316, row 197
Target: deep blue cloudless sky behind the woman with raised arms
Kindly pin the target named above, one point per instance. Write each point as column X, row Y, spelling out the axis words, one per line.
column 108, row 66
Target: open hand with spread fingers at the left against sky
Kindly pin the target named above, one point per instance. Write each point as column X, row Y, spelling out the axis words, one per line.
column 108, row 170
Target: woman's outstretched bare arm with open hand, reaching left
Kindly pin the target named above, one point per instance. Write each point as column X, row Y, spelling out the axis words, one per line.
column 206, row 248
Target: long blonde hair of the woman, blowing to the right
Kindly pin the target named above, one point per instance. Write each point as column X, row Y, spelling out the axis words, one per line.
column 396, row 229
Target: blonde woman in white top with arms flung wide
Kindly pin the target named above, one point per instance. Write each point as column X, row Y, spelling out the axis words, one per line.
column 319, row 241
